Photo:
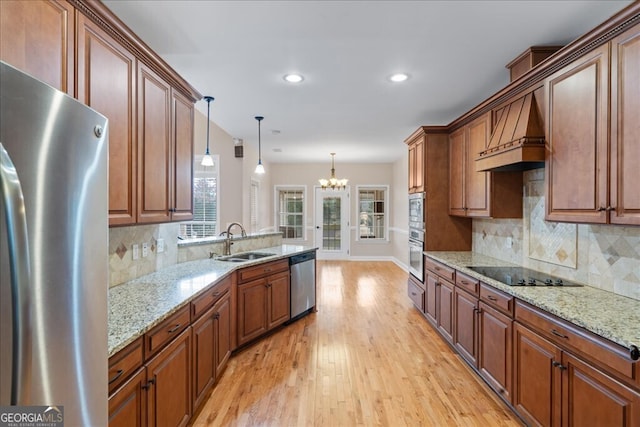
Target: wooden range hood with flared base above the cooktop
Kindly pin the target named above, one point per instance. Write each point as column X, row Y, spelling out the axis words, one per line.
column 517, row 142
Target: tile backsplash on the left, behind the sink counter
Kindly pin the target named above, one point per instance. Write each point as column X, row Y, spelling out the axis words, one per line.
column 122, row 266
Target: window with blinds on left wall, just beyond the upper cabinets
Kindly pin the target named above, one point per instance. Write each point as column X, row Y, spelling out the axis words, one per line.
column 205, row 202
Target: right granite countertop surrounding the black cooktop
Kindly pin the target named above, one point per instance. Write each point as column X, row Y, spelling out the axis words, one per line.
column 611, row 316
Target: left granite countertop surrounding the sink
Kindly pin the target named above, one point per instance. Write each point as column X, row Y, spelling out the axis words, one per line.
column 138, row 305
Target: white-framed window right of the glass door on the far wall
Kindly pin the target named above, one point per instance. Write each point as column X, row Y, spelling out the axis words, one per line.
column 372, row 212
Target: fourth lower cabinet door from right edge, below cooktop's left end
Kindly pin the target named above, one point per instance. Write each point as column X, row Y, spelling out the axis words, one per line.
column 466, row 326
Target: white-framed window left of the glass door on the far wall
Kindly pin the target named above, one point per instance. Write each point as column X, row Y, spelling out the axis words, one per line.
column 290, row 214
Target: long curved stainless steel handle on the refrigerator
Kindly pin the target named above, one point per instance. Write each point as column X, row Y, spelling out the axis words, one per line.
column 16, row 222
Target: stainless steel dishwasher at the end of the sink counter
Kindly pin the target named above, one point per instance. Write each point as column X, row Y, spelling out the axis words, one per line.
column 303, row 284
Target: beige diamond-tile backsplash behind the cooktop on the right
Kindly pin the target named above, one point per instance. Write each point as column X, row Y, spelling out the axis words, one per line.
column 603, row 256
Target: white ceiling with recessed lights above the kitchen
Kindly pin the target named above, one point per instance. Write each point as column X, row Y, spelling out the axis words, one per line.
column 454, row 51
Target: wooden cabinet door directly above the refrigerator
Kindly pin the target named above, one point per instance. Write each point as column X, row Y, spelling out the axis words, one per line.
column 38, row 38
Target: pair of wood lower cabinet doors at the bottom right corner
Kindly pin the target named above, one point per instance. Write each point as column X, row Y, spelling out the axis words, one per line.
column 554, row 388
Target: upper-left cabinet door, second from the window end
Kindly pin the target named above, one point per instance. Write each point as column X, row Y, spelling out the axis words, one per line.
column 154, row 143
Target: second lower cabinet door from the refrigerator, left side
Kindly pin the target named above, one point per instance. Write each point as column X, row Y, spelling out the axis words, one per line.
column 169, row 380
